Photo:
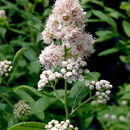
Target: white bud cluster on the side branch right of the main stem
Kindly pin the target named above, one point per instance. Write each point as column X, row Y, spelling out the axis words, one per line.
column 102, row 89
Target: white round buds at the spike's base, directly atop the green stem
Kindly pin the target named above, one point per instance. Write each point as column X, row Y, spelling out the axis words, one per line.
column 72, row 69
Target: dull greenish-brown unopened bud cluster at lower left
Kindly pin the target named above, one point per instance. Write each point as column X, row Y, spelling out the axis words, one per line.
column 21, row 109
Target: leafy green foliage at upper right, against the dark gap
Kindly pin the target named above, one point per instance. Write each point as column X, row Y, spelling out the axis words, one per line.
column 110, row 16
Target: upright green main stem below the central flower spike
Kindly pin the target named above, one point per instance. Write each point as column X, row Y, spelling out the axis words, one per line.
column 66, row 101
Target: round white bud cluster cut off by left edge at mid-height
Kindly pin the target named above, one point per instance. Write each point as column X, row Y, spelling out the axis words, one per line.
column 5, row 67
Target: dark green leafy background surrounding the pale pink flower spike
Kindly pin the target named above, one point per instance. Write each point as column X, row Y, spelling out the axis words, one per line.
column 108, row 21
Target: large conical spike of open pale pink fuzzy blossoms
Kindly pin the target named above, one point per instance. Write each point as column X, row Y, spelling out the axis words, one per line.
column 66, row 25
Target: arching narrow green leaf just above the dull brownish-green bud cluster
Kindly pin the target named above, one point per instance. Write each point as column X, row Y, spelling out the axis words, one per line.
column 30, row 89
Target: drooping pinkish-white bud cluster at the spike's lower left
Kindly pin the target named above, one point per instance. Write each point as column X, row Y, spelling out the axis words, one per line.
column 47, row 76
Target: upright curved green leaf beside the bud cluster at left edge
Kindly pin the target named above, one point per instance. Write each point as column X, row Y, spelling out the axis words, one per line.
column 17, row 55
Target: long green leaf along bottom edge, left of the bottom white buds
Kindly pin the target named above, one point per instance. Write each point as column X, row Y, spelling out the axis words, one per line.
column 28, row 126
